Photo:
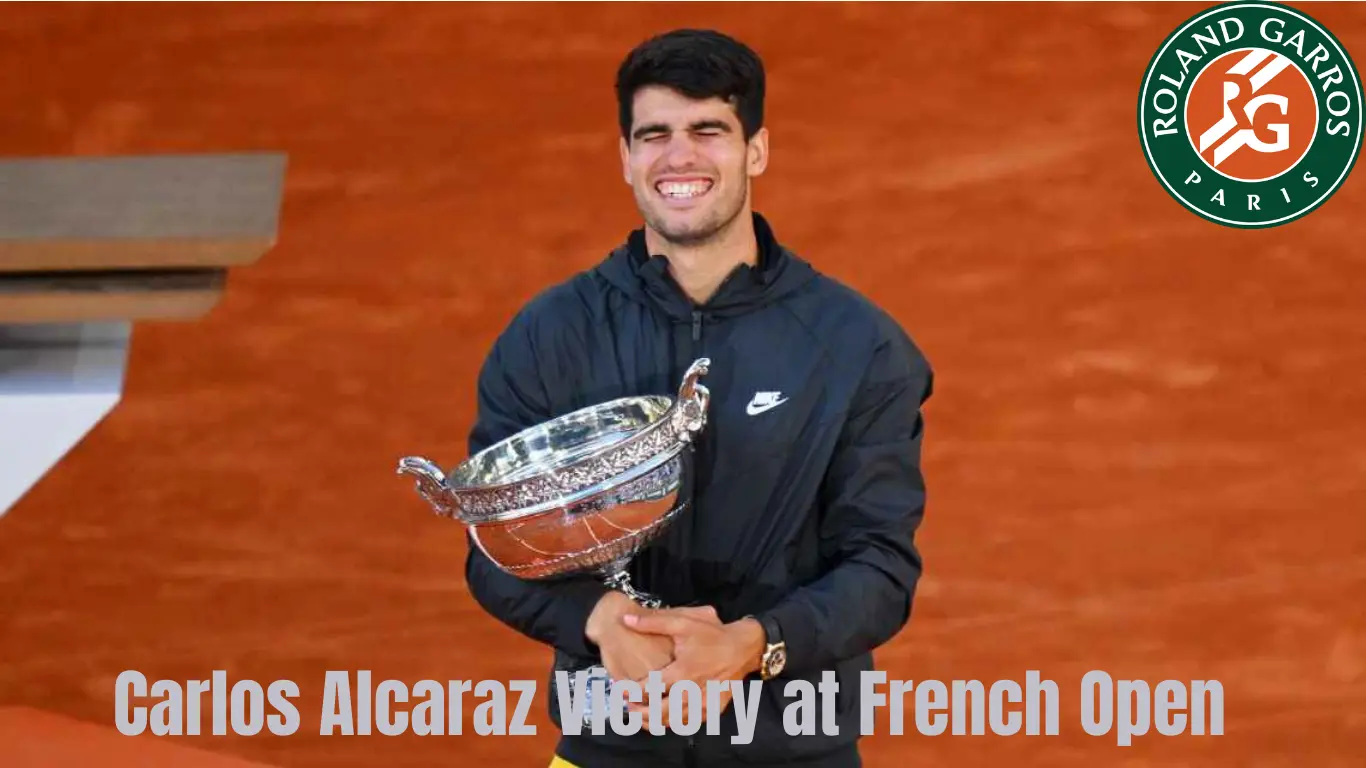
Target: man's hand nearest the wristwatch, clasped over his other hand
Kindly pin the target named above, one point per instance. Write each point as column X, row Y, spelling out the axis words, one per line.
column 704, row 650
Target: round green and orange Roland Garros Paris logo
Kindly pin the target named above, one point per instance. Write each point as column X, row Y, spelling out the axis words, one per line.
column 1252, row 114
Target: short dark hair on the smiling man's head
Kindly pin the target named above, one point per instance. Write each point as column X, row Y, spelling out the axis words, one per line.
column 700, row 65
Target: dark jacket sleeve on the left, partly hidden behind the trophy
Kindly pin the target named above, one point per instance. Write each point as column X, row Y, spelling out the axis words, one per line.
column 512, row 397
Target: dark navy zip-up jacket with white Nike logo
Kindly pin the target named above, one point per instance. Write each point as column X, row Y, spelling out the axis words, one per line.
column 805, row 513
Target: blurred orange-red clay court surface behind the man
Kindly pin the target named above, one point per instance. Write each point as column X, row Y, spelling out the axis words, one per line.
column 1145, row 456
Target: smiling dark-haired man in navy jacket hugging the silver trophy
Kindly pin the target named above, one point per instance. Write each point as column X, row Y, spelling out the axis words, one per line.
column 798, row 556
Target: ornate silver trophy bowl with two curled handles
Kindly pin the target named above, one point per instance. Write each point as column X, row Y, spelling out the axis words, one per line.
column 584, row 493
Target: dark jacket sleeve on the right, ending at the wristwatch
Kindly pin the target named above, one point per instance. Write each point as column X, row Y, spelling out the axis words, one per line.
column 874, row 501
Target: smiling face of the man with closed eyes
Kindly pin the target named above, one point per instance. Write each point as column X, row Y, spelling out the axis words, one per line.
column 689, row 163
